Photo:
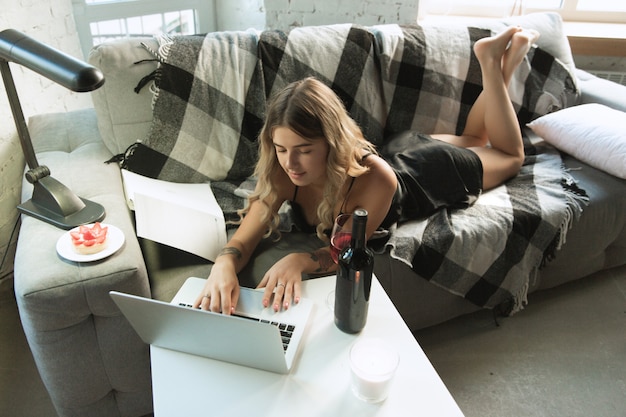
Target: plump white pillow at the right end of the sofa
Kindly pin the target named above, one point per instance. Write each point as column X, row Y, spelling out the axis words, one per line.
column 593, row 133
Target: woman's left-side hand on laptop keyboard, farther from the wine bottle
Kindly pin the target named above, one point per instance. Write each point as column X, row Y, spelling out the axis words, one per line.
column 221, row 290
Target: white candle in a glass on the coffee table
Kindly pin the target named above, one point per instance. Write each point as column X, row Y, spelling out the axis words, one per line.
column 373, row 363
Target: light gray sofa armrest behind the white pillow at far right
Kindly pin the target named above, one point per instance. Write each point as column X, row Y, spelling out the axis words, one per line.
column 598, row 90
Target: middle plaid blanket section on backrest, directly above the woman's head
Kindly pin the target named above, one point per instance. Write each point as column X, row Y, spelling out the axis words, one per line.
column 341, row 56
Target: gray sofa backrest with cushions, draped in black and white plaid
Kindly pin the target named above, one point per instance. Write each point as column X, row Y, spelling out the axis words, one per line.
column 391, row 78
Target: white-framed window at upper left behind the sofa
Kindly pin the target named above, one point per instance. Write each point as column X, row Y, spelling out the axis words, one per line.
column 100, row 20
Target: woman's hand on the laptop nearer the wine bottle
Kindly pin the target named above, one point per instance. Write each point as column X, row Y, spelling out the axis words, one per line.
column 283, row 281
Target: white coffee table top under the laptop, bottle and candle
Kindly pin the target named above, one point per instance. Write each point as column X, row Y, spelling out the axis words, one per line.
column 319, row 383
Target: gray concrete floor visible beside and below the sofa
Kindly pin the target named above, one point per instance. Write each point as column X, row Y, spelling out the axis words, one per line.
column 563, row 355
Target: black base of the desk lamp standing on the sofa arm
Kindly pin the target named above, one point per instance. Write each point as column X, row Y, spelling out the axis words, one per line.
column 56, row 204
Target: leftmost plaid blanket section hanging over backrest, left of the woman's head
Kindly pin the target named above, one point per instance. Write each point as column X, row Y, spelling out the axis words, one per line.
column 205, row 122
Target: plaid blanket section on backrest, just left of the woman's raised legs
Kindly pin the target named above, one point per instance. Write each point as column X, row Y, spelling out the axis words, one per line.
column 430, row 76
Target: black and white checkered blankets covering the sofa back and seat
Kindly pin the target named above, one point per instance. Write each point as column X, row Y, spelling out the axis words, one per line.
column 391, row 78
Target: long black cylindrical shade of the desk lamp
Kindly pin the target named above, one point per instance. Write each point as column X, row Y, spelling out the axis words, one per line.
column 49, row 62
